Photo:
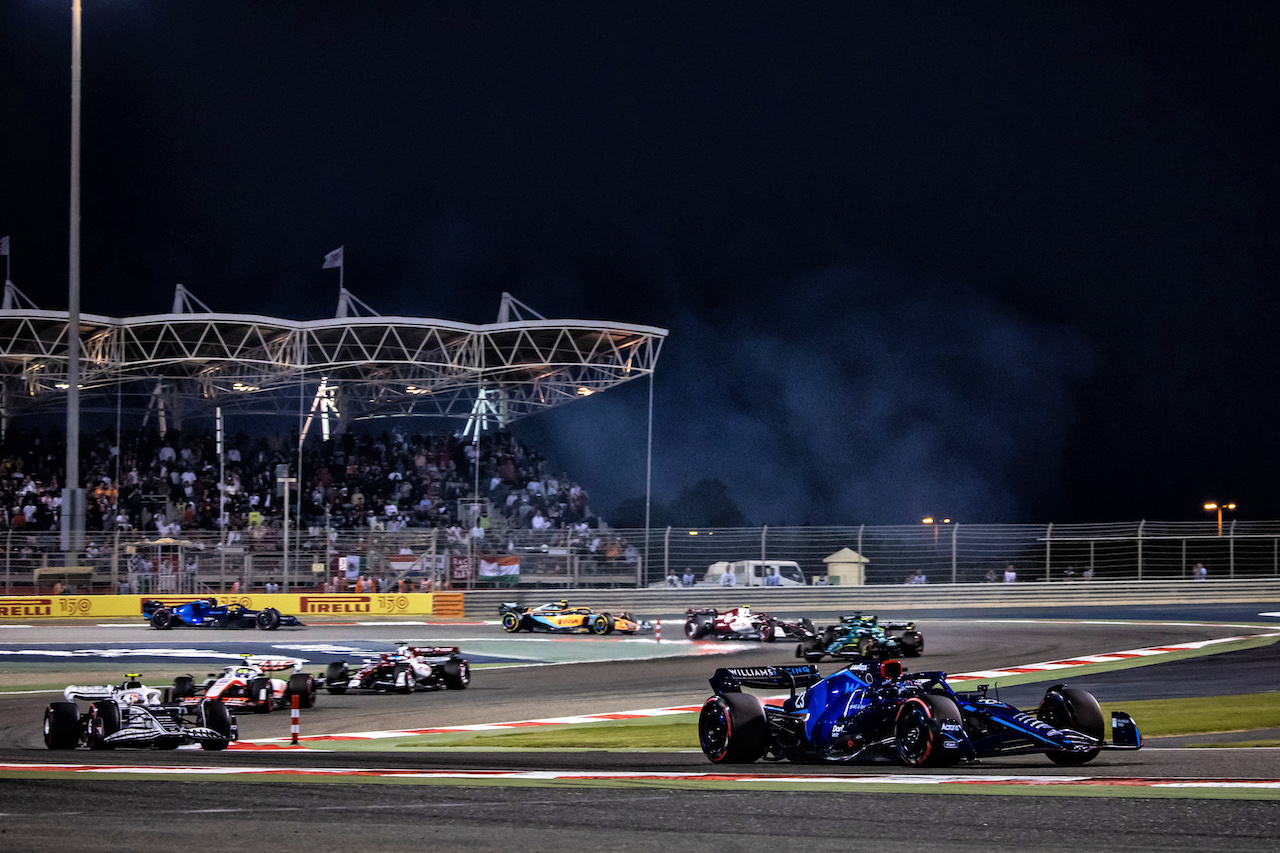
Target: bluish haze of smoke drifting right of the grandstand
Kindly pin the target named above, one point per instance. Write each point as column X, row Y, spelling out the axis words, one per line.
column 854, row 396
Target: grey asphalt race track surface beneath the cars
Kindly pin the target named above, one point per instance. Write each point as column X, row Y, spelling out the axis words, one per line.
column 541, row 682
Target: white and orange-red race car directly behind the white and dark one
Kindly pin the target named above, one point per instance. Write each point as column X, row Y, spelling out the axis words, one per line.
column 250, row 685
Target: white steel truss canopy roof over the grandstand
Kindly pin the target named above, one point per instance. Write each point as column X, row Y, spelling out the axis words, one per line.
column 193, row 362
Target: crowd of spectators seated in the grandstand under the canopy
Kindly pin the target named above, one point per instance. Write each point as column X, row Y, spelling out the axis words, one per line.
column 378, row 482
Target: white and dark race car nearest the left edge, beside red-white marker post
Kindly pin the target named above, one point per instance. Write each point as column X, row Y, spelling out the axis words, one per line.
column 134, row 715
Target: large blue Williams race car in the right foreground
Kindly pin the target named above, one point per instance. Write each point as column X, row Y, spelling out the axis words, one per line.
column 879, row 713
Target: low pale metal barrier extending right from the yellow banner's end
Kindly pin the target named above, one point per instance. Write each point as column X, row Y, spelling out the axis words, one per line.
column 788, row 601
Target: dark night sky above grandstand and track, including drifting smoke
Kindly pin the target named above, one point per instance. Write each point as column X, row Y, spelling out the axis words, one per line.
column 1000, row 262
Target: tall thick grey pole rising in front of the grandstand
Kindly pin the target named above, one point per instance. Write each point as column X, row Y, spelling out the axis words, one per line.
column 74, row 496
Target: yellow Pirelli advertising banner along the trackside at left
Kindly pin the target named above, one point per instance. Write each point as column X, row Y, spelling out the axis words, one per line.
column 301, row 605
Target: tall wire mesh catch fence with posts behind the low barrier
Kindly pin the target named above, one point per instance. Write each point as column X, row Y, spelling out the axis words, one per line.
column 947, row 554
